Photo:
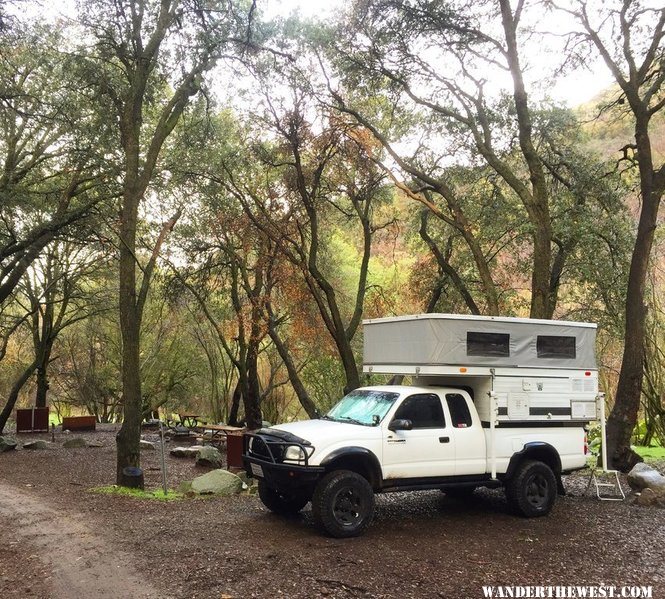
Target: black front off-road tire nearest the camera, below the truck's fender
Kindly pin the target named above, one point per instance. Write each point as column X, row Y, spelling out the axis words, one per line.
column 343, row 504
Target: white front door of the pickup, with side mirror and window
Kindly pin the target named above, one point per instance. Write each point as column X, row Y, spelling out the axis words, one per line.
column 426, row 450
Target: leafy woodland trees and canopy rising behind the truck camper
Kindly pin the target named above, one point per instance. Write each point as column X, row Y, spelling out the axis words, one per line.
column 199, row 205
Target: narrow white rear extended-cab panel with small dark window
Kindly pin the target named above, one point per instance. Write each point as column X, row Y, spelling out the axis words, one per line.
column 468, row 435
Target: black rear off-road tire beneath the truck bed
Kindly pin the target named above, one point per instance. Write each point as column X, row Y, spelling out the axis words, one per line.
column 532, row 489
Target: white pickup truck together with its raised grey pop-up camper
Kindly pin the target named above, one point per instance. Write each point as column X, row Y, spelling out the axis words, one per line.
column 493, row 402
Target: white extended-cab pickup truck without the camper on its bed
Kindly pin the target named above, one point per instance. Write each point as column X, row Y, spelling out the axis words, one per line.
column 399, row 438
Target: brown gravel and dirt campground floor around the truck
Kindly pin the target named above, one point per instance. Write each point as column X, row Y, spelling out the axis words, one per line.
column 59, row 540
